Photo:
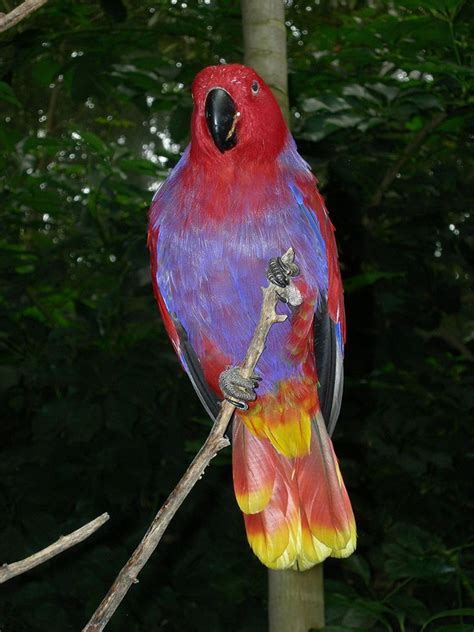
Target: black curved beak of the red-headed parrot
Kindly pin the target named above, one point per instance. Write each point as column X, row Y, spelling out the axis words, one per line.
column 221, row 119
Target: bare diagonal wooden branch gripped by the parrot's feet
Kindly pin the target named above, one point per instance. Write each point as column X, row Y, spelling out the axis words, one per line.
column 214, row 442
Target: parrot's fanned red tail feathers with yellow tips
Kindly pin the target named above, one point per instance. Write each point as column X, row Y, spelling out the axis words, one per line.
column 307, row 515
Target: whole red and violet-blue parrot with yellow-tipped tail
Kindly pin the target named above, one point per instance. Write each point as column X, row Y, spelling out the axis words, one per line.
column 238, row 198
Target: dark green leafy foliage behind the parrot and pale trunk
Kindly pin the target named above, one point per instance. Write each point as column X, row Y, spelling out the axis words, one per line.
column 96, row 414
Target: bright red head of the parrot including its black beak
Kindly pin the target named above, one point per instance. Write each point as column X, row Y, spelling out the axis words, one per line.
column 236, row 117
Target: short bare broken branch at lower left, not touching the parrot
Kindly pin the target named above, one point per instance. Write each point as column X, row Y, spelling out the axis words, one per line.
column 7, row 571
